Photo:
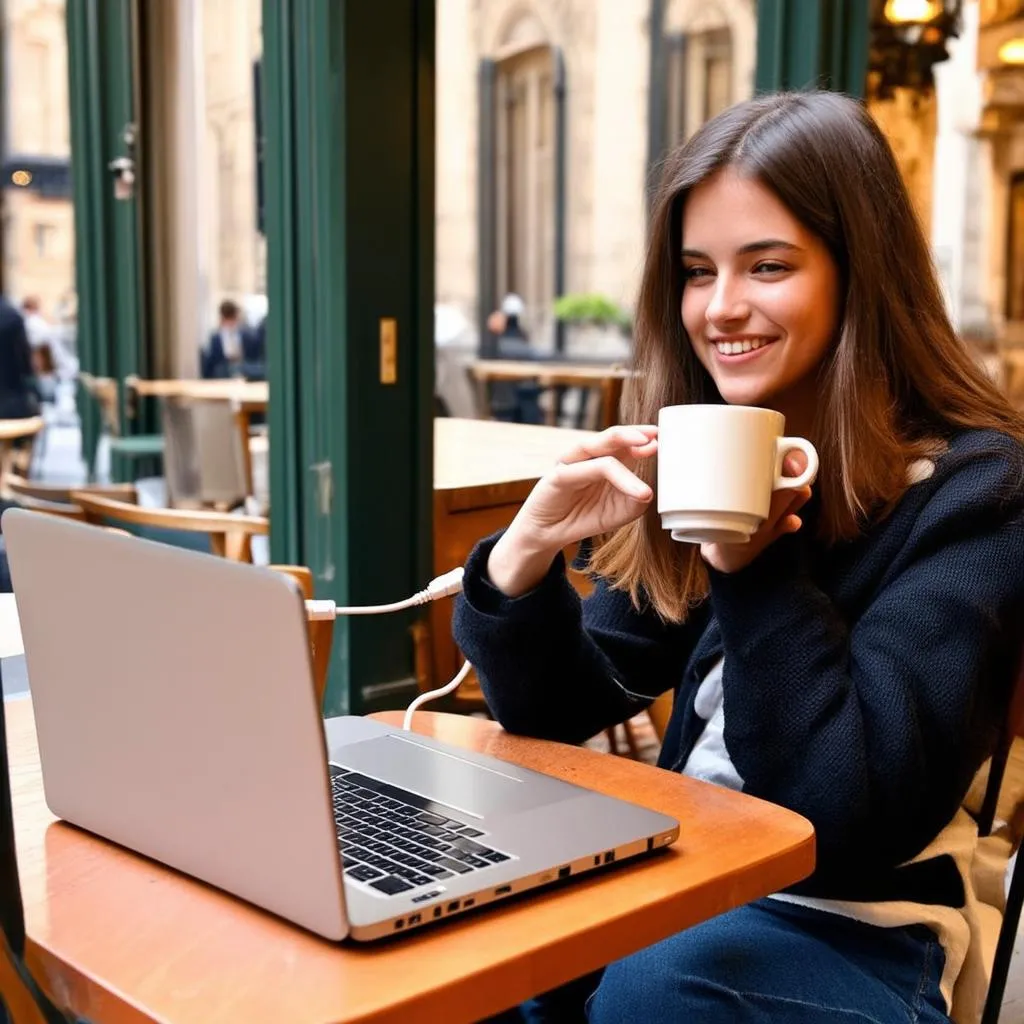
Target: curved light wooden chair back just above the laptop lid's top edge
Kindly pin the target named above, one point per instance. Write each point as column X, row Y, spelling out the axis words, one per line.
column 227, row 536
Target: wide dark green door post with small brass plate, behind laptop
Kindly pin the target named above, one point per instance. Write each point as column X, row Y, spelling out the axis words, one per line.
column 350, row 109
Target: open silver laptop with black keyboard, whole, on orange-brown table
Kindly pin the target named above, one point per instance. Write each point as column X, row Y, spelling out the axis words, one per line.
column 176, row 713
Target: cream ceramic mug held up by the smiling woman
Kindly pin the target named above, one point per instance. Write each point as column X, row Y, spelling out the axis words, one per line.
column 718, row 467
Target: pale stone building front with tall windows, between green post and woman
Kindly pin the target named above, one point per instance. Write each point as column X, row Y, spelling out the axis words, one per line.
column 605, row 52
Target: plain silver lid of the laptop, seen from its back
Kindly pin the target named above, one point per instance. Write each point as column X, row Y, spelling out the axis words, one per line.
column 176, row 711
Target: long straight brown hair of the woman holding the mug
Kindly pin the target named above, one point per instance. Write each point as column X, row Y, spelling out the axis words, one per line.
column 897, row 382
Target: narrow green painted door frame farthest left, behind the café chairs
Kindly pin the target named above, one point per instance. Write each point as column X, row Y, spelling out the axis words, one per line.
column 104, row 123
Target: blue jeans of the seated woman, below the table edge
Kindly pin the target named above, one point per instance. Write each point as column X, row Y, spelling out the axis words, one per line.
column 764, row 962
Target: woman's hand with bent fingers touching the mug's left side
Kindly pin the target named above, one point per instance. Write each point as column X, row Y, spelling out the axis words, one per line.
column 590, row 492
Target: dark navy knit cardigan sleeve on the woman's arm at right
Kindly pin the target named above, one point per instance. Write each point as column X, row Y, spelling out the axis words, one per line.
column 873, row 724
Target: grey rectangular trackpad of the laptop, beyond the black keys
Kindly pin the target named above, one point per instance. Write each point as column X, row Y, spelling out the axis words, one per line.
column 448, row 779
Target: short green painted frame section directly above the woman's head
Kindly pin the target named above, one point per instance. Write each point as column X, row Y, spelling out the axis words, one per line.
column 813, row 45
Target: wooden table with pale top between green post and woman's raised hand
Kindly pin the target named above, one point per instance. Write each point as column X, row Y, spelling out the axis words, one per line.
column 484, row 471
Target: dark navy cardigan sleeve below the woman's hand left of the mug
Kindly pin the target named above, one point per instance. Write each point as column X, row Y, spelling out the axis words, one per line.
column 559, row 668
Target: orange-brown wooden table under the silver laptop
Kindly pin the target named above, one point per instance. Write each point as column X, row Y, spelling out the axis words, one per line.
column 123, row 941
